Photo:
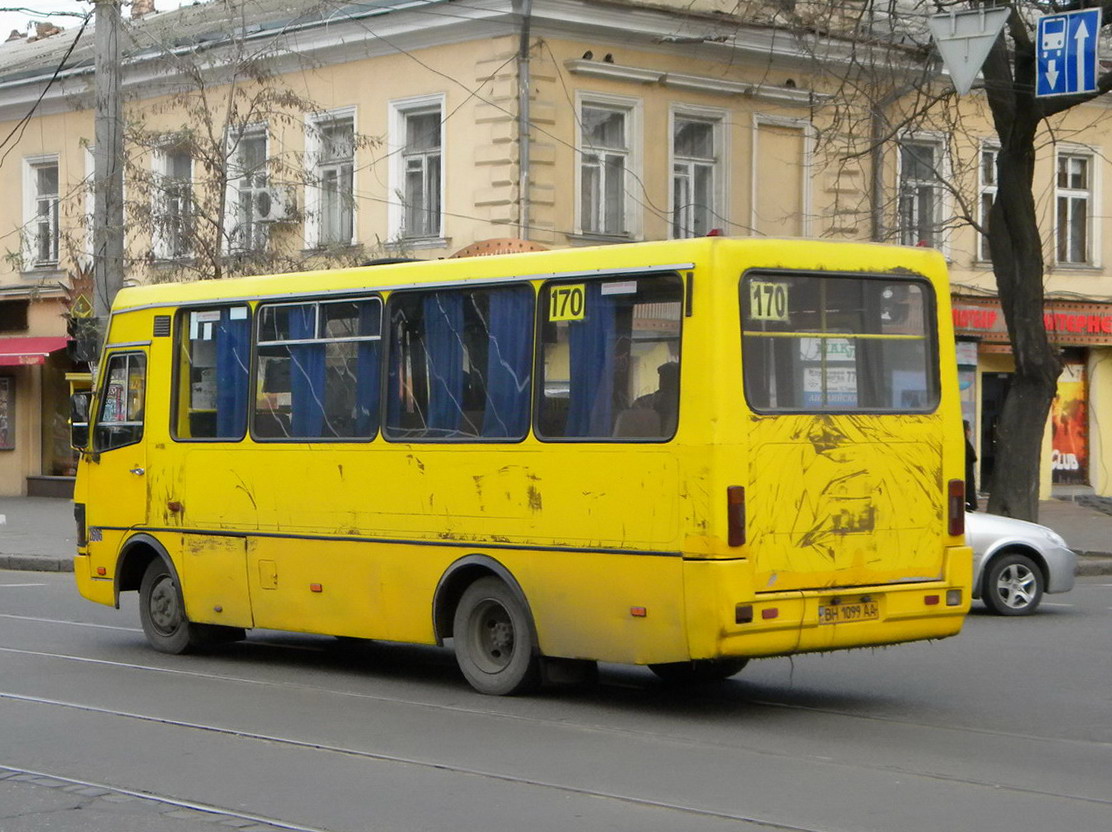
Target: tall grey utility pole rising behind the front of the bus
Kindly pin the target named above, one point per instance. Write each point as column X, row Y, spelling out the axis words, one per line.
column 108, row 165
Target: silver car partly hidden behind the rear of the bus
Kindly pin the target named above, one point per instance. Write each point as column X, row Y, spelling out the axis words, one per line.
column 1016, row 562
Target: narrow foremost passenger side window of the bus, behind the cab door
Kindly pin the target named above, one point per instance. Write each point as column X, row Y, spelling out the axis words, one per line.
column 214, row 355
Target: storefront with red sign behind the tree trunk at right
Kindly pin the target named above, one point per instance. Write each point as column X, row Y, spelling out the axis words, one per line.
column 1074, row 449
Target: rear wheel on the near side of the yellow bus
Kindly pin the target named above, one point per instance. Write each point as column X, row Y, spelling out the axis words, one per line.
column 493, row 636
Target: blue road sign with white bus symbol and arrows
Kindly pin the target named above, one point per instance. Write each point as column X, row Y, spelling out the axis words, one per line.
column 1067, row 53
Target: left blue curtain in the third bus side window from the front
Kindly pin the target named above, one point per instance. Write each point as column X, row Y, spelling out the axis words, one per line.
column 444, row 348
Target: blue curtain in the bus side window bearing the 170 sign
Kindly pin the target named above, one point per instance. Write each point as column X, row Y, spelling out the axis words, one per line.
column 592, row 343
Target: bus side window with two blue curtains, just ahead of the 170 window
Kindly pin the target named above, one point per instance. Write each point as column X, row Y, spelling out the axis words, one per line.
column 461, row 364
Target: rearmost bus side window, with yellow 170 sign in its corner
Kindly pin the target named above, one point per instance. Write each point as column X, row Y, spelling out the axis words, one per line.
column 611, row 368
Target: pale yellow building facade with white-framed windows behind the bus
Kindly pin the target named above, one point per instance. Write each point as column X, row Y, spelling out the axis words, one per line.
column 281, row 136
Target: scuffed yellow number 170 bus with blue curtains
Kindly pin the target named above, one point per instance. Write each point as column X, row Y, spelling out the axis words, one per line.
column 681, row 454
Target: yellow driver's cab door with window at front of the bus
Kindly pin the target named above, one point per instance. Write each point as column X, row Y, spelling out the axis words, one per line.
column 117, row 472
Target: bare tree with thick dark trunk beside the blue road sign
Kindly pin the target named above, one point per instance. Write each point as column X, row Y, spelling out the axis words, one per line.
column 879, row 77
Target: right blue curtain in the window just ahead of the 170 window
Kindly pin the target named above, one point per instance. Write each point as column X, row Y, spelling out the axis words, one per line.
column 510, row 322
